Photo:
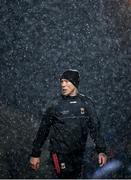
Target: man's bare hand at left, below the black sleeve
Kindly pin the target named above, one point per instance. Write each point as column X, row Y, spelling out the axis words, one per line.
column 35, row 163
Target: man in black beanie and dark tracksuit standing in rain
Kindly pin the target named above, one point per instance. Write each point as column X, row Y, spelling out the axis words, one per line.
column 69, row 119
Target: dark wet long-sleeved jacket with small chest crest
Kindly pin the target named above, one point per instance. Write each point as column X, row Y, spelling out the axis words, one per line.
column 67, row 122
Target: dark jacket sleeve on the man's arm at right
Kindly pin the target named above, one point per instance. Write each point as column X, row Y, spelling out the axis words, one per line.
column 94, row 128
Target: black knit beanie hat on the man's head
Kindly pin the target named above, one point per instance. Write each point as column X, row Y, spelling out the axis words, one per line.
column 72, row 76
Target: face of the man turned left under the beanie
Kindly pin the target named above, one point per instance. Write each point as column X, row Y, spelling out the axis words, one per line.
column 67, row 87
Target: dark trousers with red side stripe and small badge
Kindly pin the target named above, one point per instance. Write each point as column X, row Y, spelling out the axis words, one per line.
column 69, row 165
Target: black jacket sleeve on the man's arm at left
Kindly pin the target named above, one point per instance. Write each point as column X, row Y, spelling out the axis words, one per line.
column 42, row 133
